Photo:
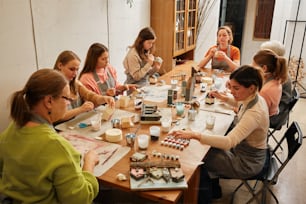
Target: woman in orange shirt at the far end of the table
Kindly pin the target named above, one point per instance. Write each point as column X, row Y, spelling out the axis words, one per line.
column 224, row 55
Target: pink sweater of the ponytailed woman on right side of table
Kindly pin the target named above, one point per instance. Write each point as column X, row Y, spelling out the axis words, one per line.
column 272, row 92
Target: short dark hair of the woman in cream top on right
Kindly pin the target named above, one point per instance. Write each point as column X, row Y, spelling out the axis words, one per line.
column 247, row 75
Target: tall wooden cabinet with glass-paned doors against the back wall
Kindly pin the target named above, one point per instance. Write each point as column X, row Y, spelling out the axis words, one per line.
column 174, row 22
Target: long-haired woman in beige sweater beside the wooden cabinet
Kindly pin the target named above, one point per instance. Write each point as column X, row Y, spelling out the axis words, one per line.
column 140, row 62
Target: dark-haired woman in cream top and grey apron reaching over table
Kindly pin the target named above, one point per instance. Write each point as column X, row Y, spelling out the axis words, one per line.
column 242, row 153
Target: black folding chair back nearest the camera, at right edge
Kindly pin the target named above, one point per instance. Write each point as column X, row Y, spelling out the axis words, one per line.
column 293, row 137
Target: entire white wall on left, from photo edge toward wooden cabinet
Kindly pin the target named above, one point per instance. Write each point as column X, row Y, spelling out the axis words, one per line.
column 60, row 25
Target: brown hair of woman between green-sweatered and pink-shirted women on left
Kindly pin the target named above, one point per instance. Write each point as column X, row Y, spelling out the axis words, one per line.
column 65, row 57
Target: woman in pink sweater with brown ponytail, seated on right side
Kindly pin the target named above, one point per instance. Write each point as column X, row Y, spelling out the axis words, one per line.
column 275, row 74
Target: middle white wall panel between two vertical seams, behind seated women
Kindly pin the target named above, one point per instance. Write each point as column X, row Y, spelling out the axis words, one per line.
column 70, row 24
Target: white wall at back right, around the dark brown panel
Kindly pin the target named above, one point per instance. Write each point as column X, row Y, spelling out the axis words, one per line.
column 284, row 10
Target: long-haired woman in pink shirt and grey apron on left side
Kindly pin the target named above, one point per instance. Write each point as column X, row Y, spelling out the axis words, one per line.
column 98, row 75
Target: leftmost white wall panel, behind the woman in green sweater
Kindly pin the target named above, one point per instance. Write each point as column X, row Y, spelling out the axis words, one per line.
column 16, row 50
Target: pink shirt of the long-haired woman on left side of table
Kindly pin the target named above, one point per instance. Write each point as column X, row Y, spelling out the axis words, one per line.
column 90, row 83
